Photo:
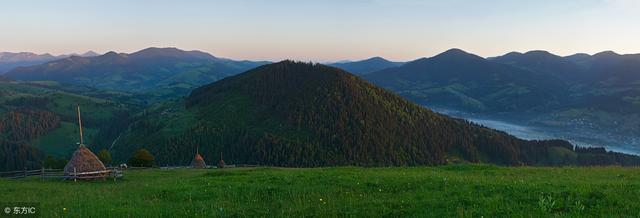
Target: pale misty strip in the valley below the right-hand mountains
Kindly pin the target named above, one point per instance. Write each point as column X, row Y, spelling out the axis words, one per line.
column 576, row 137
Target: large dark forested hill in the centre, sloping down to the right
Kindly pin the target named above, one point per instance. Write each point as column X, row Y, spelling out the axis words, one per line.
column 301, row 114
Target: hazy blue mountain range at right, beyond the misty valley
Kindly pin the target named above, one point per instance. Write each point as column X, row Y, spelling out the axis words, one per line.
column 596, row 94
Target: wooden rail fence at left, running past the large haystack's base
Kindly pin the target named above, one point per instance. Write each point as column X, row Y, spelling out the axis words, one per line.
column 111, row 173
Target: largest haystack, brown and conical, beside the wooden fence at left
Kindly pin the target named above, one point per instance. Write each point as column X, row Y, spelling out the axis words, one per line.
column 83, row 161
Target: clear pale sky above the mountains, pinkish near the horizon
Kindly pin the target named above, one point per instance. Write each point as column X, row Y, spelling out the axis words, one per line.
column 329, row 30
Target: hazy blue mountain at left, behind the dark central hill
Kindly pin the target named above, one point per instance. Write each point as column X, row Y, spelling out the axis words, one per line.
column 148, row 70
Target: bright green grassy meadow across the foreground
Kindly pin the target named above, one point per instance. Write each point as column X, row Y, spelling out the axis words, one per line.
column 446, row 191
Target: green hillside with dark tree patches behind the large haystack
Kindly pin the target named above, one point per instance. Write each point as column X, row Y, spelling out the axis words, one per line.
column 38, row 119
